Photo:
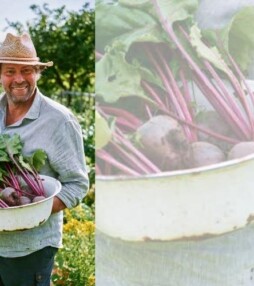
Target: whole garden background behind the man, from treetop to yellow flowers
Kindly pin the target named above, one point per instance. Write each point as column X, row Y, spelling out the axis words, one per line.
column 71, row 82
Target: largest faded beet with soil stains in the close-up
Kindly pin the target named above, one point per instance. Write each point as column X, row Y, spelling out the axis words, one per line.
column 163, row 141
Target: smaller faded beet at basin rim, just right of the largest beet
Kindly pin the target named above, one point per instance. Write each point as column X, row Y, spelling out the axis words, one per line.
column 204, row 153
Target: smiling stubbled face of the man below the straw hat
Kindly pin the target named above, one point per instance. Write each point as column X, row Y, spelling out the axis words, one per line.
column 18, row 81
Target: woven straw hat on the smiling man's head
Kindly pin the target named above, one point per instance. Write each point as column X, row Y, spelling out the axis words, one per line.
column 20, row 50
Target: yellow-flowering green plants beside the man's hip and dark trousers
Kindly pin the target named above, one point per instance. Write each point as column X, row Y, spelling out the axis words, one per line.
column 75, row 263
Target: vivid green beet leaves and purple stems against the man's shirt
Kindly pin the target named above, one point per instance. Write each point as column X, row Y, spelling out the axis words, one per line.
column 17, row 171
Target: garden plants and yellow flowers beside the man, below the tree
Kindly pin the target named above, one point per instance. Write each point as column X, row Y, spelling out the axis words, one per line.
column 75, row 262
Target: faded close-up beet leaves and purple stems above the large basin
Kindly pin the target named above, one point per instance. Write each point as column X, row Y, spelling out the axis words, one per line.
column 147, row 68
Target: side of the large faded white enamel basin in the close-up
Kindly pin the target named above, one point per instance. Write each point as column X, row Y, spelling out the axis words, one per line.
column 192, row 203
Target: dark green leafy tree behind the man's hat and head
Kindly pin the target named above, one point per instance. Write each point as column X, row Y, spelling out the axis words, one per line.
column 66, row 38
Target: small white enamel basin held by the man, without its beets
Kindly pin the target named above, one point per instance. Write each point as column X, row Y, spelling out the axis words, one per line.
column 30, row 215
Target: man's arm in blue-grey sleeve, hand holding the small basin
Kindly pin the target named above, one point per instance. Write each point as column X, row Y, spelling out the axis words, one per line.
column 68, row 161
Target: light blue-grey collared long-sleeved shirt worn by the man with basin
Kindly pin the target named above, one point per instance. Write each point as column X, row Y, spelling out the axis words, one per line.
column 53, row 128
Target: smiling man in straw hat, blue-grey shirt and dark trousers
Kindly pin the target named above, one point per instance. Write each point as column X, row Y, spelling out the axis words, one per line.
column 26, row 257
